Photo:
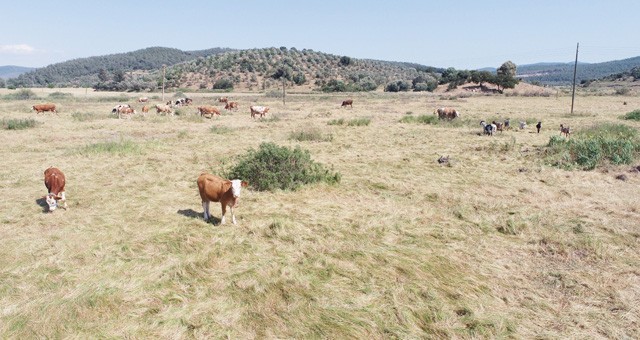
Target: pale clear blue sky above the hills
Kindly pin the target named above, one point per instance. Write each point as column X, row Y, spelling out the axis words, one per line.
column 461, row 34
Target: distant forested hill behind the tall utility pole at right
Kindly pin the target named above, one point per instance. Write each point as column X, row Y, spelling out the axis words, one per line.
column 562, row 73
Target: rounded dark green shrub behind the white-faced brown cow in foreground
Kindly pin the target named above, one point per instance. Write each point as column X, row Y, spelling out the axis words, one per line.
column 274, row 167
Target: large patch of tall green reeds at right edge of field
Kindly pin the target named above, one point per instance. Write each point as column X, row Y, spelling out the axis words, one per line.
column 587, row 149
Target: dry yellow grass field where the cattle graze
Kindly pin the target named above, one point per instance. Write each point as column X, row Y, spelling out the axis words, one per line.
column 497, row 244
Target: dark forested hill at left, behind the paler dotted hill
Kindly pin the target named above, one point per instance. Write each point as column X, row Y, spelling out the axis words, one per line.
column 85, row 71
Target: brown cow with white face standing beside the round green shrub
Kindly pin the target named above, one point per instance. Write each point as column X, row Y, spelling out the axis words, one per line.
column 216, row 189
